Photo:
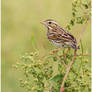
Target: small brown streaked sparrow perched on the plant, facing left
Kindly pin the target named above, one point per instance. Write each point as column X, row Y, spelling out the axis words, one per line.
column 58, row 36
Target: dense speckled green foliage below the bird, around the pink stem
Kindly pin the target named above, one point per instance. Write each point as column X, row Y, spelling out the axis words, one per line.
column 46, row 74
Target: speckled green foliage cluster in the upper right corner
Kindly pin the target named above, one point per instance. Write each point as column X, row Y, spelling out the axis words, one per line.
column 81, row 12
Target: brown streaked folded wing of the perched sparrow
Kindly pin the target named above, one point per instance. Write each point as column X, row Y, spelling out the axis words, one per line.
column 61, row 35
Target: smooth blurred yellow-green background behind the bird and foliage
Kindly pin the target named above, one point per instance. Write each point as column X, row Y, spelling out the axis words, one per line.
column 22, row 32
